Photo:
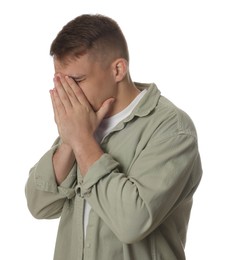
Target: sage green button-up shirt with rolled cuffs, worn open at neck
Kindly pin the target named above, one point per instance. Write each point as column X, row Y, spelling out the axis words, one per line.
column 140, row 190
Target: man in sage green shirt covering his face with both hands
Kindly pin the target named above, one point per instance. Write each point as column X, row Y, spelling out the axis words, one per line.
column 124, row 169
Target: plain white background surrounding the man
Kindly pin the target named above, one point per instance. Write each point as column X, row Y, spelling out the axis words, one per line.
column 179, row 45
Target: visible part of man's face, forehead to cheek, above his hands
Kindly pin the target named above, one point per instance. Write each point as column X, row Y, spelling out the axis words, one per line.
column 96, row 81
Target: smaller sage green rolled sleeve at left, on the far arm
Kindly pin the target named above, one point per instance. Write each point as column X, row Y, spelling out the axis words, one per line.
column 45, row 198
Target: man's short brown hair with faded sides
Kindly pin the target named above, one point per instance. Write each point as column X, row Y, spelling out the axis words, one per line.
column 97, row 34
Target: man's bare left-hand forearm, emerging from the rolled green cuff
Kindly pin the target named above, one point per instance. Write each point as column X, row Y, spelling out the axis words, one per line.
column 63, row 160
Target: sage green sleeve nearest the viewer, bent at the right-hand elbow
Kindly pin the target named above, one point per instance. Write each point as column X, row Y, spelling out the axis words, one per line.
column 134, row 204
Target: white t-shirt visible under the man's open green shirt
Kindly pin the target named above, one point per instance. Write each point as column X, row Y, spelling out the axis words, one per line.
column 104, row 129
